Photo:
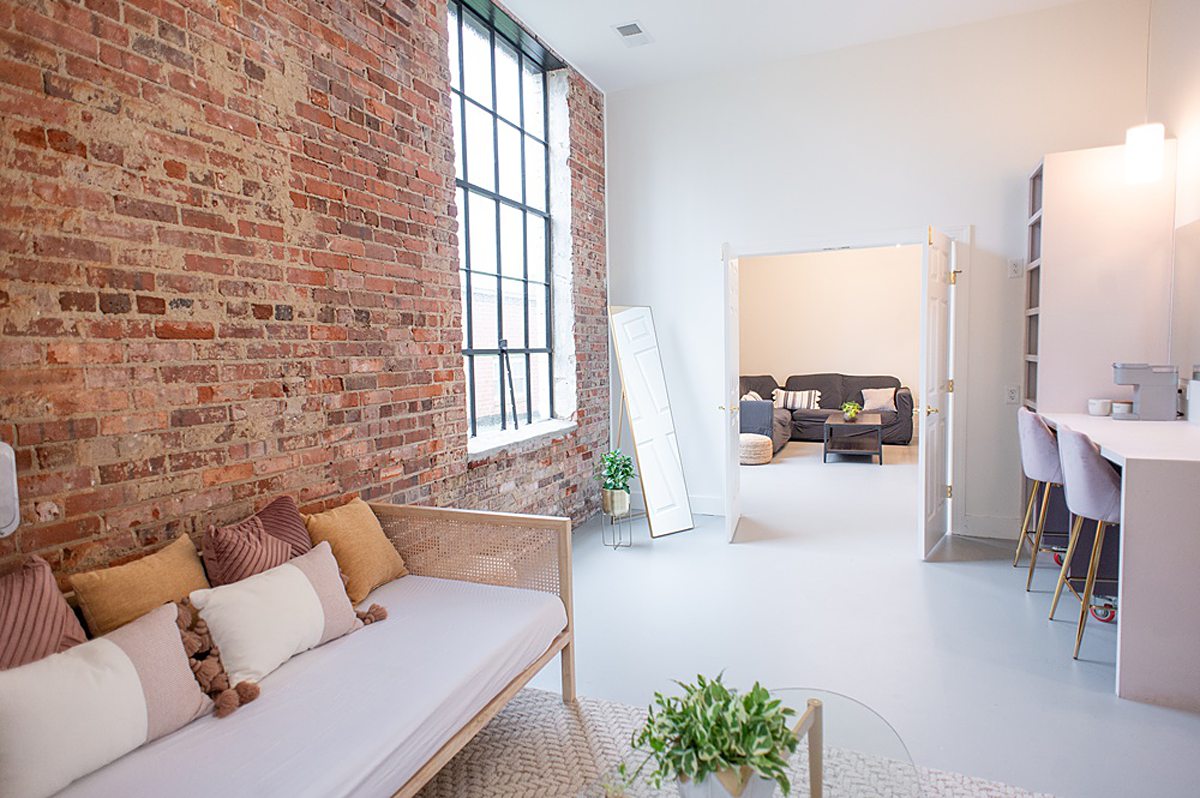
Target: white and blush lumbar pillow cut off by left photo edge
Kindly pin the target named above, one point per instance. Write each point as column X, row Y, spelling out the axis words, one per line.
column 73, row 713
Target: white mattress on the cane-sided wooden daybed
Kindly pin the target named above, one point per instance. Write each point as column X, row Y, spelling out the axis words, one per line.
column 362, row 715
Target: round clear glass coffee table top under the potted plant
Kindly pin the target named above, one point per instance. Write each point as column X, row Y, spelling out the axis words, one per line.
column 862, row 757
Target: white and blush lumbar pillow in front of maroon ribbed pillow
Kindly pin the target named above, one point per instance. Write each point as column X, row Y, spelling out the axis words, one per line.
column 262, row 622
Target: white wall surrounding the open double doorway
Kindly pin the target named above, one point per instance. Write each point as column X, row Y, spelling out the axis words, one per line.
column 943, row 128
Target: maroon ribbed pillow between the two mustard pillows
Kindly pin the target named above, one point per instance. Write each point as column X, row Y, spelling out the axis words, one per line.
column 269, row 538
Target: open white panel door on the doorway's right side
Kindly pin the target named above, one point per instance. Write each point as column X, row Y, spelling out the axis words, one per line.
column 934, row 400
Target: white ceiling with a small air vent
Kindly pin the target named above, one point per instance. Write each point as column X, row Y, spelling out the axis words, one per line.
column 704, row 37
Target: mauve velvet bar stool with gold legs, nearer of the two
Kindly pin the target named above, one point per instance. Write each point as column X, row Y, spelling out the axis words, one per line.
column 1094, row 494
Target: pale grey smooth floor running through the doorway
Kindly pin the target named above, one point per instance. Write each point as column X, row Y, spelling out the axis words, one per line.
column 824, row 590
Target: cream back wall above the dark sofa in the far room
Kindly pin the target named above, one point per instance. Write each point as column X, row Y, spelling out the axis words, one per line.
column 845, row 311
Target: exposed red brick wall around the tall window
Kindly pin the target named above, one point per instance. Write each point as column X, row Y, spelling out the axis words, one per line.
column 229, row 271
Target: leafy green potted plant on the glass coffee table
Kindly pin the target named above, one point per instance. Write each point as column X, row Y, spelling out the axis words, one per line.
column 717, row 742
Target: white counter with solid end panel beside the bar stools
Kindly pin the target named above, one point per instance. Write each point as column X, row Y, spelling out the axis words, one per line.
column 1159, row 623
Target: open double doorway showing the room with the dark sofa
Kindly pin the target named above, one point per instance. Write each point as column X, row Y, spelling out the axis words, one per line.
column 871, row 325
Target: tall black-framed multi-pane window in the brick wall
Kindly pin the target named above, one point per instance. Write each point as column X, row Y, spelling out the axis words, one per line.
column 502, row 167
